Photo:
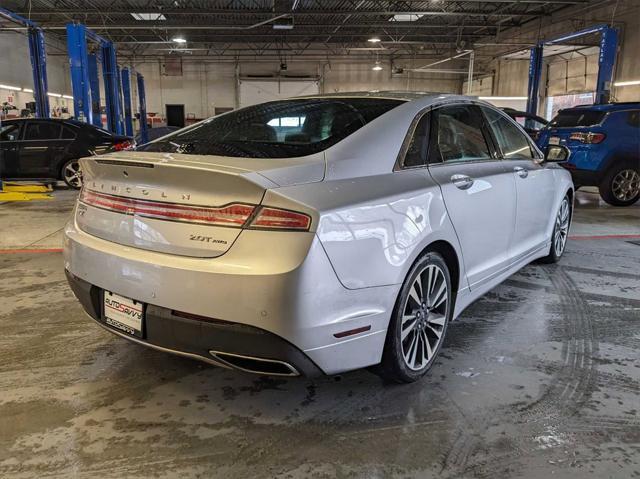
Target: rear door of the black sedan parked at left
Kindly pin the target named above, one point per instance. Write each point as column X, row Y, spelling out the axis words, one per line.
column 37, row 149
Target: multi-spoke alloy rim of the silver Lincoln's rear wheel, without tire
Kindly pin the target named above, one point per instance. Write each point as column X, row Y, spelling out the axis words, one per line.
column 424, row 317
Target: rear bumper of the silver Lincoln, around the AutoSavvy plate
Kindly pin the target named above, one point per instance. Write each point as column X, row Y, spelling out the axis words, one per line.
column 247, row 303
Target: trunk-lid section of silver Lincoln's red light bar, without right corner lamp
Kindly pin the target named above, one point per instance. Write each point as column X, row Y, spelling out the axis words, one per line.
column 230, row 215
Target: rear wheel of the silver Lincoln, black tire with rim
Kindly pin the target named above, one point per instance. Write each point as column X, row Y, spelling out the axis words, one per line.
column 394, row 367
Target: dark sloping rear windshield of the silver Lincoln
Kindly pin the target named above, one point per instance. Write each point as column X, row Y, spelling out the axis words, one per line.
column 279, row 129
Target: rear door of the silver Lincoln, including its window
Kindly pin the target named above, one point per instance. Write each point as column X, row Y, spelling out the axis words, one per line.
column 478, row 191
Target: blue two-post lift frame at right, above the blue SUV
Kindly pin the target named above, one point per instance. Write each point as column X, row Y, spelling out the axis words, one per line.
column 606, row 63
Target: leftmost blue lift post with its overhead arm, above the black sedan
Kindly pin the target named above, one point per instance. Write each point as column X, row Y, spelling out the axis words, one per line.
column 38, row 55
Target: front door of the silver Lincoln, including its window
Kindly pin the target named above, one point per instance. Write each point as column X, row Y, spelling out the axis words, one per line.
column 535, row 190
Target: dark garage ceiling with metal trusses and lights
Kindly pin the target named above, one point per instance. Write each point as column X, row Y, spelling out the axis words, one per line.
column 291, row 28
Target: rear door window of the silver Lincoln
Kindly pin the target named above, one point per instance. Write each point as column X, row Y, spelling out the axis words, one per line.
column 457, row 135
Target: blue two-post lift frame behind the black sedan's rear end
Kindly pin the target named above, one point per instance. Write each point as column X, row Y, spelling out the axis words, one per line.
column 77, row 35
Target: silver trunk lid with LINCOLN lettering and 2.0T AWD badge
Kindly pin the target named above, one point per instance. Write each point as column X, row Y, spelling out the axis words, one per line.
column 187, row 205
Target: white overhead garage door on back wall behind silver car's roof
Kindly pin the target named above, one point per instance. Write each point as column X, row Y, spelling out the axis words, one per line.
column 259, row 91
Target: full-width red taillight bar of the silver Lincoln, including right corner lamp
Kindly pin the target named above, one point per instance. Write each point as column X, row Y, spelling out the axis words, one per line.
column 234, row 215
